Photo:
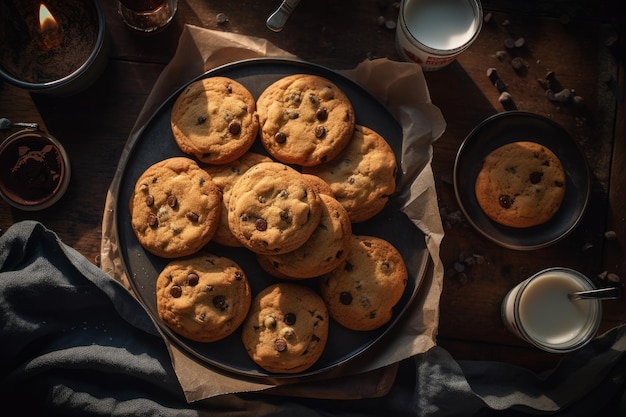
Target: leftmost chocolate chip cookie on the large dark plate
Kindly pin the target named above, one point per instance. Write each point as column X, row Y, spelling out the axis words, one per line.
column 175, row 208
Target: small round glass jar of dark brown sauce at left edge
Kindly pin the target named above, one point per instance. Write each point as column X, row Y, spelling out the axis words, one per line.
column 34, row 170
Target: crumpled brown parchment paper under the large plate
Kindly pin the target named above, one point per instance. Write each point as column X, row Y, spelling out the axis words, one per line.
column 402, row 88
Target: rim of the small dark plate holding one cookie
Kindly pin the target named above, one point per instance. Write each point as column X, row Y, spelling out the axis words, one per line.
column 501, row 118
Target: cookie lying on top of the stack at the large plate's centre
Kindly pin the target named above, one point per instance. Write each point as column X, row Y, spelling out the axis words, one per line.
column 272, row 210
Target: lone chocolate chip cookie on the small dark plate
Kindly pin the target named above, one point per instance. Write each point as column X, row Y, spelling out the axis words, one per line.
column 521, row 184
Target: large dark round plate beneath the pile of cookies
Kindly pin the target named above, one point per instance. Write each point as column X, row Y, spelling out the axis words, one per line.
column 155, row 142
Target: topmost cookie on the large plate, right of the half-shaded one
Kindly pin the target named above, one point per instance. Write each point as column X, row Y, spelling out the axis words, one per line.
column 304, row 119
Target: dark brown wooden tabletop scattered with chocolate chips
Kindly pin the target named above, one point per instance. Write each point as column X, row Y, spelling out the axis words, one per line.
column 94, row 126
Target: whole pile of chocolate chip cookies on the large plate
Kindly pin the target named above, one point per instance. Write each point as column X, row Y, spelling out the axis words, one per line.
column 292, row 206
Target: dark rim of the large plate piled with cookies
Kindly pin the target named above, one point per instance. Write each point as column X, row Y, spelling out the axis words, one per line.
column 425, row 257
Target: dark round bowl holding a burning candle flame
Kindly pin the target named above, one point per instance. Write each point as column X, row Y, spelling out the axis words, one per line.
column 52, row 46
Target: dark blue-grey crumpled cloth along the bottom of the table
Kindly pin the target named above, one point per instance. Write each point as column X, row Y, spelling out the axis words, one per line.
column 75, row 342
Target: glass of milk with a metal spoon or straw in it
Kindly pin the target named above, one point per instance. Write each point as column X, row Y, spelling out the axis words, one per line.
column 539, row 310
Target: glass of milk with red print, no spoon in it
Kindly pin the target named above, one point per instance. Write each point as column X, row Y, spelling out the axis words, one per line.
column 434, row 32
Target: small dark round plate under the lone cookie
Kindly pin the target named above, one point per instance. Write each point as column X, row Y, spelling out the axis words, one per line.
column 507, row 127
